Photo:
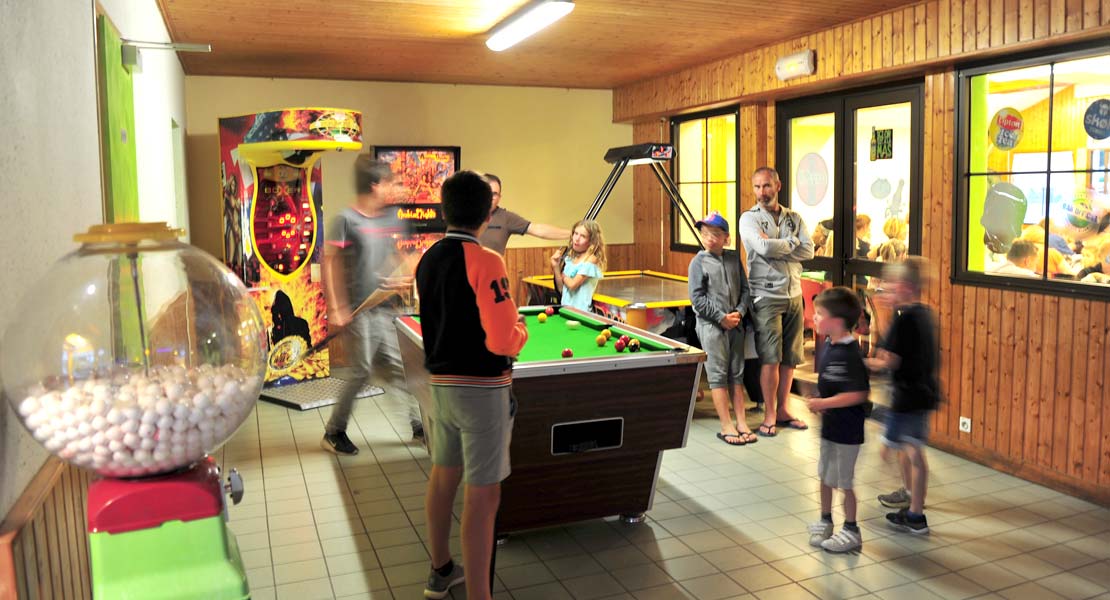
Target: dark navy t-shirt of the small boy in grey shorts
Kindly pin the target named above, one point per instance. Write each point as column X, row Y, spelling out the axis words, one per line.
column 842, row 370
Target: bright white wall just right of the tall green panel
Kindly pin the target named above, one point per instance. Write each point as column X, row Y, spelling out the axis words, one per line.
column 159, row 101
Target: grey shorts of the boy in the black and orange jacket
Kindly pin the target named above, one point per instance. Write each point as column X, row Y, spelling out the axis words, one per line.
column 472, row 429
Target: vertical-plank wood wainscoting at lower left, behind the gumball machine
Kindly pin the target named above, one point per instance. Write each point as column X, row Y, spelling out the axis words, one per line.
column 44, row 541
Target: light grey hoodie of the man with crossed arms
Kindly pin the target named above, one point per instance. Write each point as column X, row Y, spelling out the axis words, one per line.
column 775, row 265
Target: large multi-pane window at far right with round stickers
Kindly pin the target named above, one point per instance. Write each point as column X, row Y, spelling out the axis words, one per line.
column 1033, row 159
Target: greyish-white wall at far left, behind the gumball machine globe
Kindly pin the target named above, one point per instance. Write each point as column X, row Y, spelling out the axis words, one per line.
column 52, row 171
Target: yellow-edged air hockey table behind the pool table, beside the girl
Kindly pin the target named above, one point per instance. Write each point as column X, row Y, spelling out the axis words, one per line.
column 642, row 299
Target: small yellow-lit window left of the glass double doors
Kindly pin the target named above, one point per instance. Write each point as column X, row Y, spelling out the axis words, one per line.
column 708, row 162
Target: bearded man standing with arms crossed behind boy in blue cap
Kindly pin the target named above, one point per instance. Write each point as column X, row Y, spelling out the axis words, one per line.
column 776, row 241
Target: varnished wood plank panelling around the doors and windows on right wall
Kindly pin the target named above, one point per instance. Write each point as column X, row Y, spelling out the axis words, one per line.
column 1032, row 371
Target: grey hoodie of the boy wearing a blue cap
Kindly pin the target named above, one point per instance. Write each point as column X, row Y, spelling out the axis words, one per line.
column 719, row 287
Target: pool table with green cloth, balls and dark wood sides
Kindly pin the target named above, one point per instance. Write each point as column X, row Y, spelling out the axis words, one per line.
column 590, row 431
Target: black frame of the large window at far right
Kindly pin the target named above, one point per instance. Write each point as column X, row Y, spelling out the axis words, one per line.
column 962, row 178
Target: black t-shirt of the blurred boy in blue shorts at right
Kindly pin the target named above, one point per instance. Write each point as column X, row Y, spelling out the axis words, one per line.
column 913, row 338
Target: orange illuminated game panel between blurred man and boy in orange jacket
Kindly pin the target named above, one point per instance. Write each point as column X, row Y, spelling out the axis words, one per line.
column 422, row 171
